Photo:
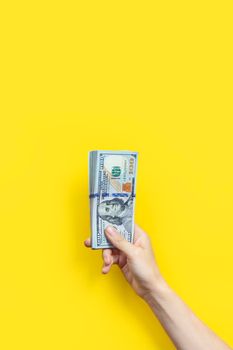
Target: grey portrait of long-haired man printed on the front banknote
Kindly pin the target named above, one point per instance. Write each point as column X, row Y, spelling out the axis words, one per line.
column 117, row 212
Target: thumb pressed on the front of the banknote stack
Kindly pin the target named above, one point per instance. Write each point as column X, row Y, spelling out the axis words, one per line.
column 118, row 240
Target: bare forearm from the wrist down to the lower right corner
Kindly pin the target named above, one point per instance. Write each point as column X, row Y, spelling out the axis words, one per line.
column 183, row 327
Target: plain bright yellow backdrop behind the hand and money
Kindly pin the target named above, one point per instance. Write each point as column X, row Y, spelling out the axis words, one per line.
column 155, row 77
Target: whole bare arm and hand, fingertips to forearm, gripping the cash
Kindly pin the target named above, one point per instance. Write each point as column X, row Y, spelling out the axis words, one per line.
column 138, row 265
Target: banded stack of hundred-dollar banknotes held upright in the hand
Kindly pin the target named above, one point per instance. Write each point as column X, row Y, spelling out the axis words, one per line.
column 112, row 185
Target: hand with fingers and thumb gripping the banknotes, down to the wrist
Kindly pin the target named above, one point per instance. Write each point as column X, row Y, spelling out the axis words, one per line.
column 136, row 261
